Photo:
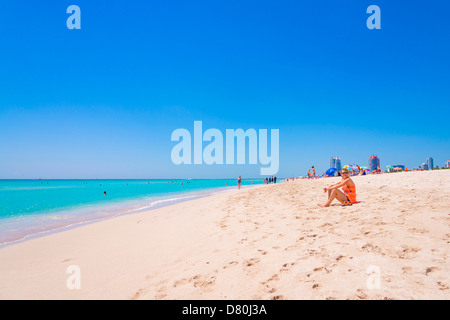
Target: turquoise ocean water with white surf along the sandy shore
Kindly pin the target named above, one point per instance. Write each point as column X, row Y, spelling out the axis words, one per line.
column 29, row 208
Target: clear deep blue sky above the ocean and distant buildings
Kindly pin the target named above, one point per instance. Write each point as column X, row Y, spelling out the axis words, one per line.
column 102, row 102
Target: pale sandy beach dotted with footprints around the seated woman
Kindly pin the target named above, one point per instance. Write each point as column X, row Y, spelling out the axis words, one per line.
column 265, row 242
